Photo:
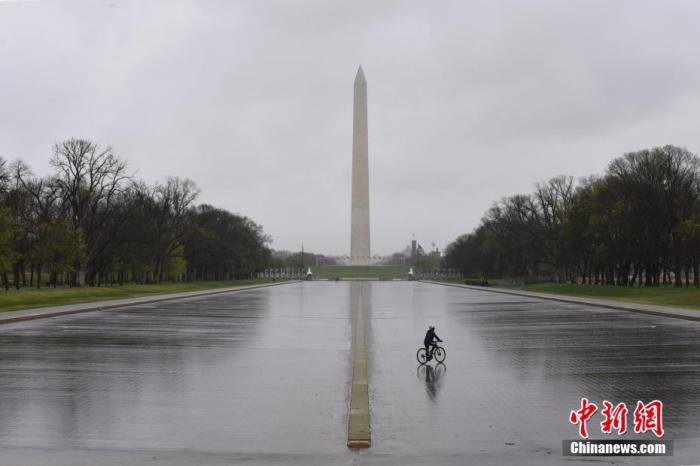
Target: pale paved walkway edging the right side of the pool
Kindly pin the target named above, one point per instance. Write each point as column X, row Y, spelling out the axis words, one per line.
column 663, row 311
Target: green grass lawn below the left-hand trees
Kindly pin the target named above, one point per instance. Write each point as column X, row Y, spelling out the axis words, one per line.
column 27, row 298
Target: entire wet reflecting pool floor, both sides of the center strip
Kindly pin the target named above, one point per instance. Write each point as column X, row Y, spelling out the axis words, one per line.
column 262, row 377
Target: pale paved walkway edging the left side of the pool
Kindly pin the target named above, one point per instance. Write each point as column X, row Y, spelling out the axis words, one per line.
column 55, row 311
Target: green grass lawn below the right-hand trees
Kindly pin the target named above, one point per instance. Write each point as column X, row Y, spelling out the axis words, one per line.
column 681, row 297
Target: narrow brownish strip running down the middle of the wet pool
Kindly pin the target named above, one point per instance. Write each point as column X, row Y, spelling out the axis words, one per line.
column 358, row 420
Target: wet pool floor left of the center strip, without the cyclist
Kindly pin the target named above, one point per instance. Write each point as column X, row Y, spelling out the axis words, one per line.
column 260, row 374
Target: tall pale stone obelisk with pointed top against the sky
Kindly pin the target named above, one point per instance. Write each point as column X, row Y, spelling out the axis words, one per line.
column 359, row 234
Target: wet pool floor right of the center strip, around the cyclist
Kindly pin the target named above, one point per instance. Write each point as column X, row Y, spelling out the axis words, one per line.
column 515, row 368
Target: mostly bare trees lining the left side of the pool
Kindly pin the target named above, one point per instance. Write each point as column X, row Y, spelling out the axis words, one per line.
column 90, row 223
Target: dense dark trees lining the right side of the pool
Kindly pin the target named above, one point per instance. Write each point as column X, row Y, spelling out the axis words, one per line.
column 638, row 224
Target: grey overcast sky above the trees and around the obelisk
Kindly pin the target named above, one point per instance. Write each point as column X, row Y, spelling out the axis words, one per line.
column 468, row 101
